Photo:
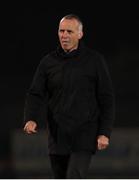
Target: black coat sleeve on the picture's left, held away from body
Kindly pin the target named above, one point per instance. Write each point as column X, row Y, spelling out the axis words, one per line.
column 36, row 94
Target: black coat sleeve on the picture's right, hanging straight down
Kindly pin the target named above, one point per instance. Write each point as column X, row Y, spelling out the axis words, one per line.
column 105, row 96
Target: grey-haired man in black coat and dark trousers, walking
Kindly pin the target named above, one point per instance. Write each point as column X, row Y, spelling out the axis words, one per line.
column 80, row 102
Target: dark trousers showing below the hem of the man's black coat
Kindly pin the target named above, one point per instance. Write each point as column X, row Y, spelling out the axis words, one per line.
column 74, row 166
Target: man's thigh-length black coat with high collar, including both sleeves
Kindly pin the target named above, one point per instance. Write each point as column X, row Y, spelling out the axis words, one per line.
column 80, row 99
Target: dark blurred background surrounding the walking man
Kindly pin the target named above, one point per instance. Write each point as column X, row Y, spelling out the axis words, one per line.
column 29, row 31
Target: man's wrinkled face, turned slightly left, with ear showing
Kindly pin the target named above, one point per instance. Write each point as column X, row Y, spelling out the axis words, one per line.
column 69, row 34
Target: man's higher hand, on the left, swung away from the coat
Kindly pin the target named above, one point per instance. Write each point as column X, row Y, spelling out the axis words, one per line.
column 30, row 127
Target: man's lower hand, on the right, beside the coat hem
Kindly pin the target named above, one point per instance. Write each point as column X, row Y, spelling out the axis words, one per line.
column 102, row 142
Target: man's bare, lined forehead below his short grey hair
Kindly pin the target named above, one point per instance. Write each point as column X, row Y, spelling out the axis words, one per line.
column 68, row 24
